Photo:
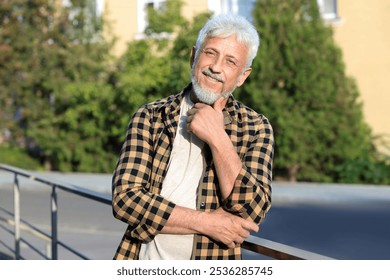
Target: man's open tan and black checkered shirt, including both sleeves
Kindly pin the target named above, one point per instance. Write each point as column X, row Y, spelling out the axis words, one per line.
column 142, row 166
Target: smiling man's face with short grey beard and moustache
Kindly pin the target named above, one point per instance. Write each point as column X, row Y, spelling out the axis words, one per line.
column 220, row 67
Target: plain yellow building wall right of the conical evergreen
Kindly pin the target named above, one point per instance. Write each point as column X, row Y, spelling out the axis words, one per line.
column 364, row 37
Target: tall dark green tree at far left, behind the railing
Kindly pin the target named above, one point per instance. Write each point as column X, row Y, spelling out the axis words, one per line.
column 54, row 79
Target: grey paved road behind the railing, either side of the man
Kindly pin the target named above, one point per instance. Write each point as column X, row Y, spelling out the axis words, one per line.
column 343, row 222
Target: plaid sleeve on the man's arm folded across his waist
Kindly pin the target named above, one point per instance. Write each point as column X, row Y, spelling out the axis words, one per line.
column 135, row 200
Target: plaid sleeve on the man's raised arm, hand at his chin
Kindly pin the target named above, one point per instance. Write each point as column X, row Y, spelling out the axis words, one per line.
column 251, row 195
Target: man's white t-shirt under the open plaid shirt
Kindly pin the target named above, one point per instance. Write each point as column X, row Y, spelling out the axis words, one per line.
column 185, row 169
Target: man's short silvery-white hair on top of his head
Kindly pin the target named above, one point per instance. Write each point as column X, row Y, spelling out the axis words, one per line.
column 226, row 25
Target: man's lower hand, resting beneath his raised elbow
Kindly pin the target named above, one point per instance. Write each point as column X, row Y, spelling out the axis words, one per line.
column 226, row 227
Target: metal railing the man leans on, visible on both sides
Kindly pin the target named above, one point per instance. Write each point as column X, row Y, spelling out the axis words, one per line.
column 253, row 244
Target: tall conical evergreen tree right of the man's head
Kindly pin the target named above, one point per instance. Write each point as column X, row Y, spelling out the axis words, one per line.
column 299, row 83
